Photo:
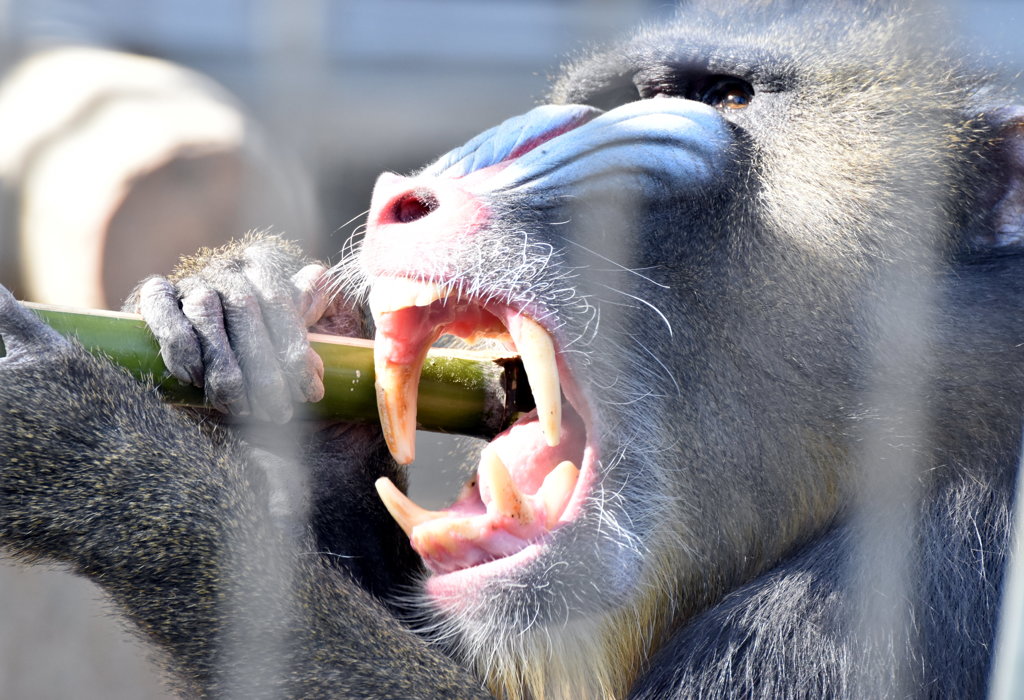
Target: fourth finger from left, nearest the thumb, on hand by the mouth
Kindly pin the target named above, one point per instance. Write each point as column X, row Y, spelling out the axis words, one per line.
column 302, row 368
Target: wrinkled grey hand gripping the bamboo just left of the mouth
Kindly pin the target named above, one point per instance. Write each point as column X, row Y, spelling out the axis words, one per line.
column 234, row 321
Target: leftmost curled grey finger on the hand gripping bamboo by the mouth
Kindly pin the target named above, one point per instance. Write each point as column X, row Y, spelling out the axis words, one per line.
column 158, row 302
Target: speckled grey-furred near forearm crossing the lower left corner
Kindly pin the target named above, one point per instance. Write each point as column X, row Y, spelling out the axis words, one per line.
column 175, row 524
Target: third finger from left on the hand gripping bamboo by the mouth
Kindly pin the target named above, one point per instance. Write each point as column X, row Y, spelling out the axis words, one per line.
column 270, row 397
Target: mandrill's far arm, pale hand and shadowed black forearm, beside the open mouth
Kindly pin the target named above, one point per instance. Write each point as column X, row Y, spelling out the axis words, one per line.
column 234, row 322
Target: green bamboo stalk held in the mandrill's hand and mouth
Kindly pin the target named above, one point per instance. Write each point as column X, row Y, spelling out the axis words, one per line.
column 470, row 393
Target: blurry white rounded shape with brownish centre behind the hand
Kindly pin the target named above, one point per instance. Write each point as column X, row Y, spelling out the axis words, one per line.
column 113, row 164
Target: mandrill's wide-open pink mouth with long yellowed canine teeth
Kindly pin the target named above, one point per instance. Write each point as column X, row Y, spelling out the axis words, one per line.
column 531, row 480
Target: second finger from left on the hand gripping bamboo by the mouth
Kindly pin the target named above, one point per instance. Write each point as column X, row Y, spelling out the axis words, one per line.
column 226, row 387
